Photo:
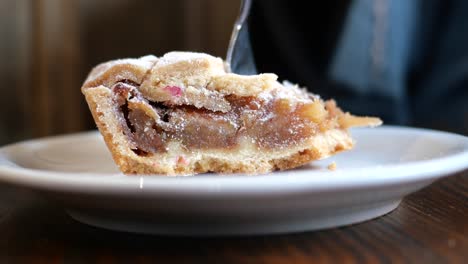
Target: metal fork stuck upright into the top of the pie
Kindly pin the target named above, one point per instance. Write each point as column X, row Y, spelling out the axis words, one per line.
column 239, row 57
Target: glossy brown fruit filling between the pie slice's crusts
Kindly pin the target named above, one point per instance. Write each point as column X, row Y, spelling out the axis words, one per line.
column 266, row 123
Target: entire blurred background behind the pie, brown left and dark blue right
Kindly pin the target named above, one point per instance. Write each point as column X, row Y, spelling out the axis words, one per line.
column 364, row 53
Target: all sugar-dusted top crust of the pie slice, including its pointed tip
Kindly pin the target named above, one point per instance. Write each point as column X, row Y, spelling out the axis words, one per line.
column 200, row 80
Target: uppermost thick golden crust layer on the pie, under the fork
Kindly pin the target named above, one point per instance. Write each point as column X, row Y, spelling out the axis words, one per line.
column 186, row 70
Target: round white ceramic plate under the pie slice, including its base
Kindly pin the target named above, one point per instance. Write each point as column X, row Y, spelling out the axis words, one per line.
column 386, row 164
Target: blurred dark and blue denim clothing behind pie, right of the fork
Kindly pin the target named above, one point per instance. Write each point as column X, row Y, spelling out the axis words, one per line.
column 403, row 60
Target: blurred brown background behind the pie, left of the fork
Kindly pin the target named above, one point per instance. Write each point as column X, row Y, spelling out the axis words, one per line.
column 48, row 47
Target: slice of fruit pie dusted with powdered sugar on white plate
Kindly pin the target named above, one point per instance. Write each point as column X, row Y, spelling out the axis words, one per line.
column 183, row 114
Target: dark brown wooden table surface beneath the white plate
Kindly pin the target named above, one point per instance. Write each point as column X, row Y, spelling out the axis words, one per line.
column 430, row 226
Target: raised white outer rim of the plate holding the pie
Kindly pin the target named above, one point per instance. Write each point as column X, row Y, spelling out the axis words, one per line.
column 304, row 180
